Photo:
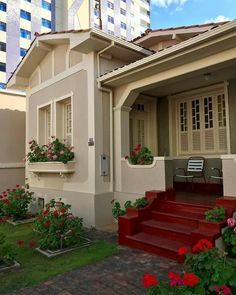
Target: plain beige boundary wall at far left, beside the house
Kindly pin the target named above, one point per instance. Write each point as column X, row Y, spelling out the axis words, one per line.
column 12, row 138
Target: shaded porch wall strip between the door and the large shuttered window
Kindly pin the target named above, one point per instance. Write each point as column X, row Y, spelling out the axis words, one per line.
column 163, row 126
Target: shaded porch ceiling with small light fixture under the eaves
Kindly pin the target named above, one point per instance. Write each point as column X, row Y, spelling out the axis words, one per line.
column 193, row 80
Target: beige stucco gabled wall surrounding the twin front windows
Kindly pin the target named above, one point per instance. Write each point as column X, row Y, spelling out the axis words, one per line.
column 86, row 190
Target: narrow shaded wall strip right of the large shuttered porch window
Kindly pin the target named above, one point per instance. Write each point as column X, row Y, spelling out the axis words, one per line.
column 232, row 112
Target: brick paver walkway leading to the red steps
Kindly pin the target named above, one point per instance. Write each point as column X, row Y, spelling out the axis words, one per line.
column 120, row 274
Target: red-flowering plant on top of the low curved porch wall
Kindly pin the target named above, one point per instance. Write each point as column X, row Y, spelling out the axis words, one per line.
column 140, row 156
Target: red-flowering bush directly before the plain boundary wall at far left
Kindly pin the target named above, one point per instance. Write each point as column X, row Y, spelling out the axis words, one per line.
column 15, row 203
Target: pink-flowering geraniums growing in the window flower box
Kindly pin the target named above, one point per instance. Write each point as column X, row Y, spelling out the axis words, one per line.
column 54, row 151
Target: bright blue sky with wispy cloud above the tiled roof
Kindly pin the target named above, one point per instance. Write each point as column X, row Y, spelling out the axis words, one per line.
column 174, row 13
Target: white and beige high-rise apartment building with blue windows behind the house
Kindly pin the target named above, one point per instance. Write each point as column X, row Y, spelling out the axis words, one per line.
column 20, row 19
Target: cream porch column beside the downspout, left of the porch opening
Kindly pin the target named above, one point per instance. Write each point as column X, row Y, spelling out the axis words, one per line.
column 121, row 141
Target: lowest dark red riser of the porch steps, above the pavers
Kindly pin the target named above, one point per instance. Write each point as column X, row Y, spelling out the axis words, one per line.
column 155, row 249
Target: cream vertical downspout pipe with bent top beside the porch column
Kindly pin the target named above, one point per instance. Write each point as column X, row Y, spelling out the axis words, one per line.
column 110, row 92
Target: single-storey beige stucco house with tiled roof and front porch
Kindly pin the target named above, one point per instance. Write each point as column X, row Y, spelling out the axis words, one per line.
column 105, row 95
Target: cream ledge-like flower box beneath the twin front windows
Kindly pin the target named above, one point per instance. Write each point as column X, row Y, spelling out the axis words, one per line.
column 52, row 167
